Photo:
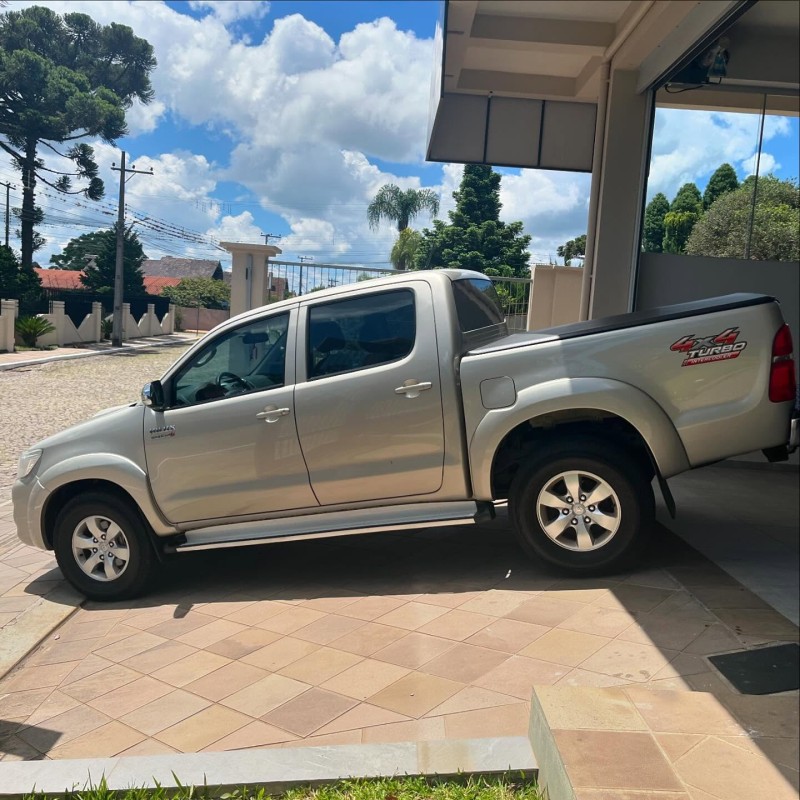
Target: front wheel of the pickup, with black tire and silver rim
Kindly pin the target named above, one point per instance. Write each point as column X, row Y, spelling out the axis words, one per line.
column 112, row 577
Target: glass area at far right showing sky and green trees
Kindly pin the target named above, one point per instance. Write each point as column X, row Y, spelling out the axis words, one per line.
column 724, row 184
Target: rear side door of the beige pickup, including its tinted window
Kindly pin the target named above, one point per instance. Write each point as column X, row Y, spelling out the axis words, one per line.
column 369, row 412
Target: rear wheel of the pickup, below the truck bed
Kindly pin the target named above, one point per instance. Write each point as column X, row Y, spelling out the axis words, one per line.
column 617, row 527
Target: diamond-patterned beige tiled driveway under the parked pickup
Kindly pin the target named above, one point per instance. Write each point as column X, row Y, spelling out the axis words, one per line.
column 377, row 638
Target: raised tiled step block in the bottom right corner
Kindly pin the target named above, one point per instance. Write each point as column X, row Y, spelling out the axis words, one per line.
column 636, row 742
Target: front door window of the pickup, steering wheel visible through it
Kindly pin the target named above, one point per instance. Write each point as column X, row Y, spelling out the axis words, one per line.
column 250, row 358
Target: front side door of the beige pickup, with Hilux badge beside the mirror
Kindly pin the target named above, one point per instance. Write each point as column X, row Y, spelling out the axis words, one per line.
column 226, row 446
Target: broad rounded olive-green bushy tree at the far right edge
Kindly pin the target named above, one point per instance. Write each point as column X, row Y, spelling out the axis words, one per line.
column 723, row 231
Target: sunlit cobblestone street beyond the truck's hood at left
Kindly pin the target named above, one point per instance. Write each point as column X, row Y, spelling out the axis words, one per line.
column 37, row 401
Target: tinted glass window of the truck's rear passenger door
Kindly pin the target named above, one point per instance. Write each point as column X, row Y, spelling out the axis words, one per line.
column 359, row 333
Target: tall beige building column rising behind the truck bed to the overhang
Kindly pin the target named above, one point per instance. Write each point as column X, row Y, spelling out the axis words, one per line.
column 624, row 172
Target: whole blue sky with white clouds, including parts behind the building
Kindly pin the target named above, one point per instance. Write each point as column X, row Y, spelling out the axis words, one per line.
column 287, row 117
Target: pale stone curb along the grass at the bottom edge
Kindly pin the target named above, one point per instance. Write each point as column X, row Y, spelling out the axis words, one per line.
column 274, row 769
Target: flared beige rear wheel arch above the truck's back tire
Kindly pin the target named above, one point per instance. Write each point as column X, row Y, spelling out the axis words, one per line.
column 607, row 409
